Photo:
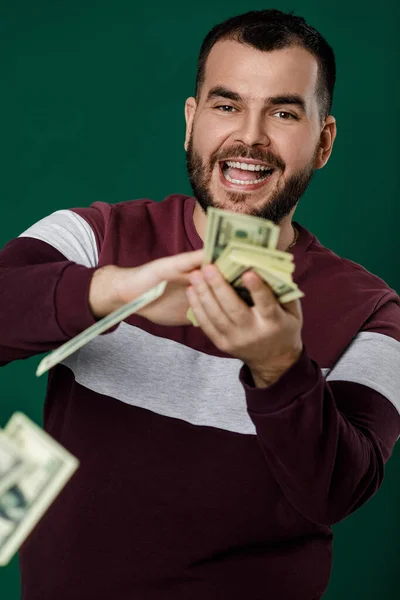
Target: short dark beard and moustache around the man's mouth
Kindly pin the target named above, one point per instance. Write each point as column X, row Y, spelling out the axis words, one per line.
column 275, row 209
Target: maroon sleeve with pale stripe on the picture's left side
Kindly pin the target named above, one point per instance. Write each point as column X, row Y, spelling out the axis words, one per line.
column 45, row 276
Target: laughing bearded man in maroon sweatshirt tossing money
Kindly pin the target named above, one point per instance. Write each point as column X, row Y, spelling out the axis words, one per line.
column 214, row 460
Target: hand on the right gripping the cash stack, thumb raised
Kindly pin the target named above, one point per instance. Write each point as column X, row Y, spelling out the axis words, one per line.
column 266, row 336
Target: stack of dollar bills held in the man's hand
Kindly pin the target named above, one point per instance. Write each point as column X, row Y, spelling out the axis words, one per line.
column 236, row 243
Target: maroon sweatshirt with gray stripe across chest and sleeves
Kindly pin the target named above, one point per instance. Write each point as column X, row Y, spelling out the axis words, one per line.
column 193, row 483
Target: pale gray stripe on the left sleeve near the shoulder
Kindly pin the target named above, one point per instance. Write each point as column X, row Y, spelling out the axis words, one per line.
column 68, row 233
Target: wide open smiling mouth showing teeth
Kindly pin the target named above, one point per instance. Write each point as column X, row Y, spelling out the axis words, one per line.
column 245, row 175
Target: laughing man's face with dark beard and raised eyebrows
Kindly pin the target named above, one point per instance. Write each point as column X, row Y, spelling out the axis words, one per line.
column 253, row 140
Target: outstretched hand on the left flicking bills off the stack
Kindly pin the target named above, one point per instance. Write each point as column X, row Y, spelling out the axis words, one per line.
column 112, row 287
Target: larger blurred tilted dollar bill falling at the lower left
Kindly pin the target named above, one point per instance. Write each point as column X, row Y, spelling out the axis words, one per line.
column 24, row 503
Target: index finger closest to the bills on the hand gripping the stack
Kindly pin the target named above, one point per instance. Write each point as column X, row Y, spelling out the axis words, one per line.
column 232, row 304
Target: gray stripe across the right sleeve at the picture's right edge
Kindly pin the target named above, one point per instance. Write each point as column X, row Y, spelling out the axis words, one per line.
column 372, row 359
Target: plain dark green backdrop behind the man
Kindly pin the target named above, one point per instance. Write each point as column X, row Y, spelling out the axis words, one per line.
column 91, row 108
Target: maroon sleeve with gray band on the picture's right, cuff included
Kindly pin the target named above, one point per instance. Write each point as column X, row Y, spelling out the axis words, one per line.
column 326, row 439
